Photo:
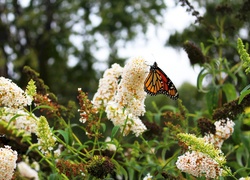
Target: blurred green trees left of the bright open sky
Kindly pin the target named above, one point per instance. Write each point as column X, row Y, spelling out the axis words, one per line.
column 45, row 34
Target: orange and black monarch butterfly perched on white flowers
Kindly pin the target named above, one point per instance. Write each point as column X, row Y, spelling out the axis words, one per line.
column 157, row 82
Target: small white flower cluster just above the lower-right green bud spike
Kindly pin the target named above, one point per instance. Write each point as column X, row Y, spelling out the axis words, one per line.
column 224, row 129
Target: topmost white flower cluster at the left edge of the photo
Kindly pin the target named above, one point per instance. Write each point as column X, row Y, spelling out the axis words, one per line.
column 11, row 95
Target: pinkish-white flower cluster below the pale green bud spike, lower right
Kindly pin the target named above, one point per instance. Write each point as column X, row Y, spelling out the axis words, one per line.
column 198, row 164
